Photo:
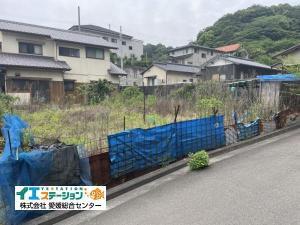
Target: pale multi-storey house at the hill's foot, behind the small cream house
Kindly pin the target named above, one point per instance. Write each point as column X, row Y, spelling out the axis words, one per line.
column 192, row 54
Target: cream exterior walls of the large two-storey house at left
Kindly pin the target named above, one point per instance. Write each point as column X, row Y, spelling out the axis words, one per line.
column 83, row 69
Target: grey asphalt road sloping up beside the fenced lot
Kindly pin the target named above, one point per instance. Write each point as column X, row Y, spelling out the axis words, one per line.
column 259, row 184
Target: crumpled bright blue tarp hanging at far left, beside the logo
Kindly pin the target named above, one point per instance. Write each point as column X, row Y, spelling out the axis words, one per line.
column 29, row 169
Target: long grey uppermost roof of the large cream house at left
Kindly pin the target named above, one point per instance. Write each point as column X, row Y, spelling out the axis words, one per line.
column 56, row 34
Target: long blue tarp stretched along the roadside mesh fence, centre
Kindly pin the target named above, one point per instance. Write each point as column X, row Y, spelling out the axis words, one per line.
column 138, row 149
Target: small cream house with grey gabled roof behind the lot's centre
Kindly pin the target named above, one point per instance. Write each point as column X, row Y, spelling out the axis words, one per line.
column 169, row 73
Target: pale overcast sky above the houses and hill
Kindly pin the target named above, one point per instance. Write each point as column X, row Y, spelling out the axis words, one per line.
column 171, row 22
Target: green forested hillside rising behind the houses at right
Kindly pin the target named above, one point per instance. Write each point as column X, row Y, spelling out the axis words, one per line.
column 261, row 30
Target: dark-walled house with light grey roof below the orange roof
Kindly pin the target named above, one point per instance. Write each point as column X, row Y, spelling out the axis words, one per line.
column 224, row 67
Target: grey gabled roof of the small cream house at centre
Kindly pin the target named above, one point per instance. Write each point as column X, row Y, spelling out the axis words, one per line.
column 176, row 67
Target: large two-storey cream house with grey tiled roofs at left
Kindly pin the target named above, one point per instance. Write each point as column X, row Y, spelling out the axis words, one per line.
column 42, row 64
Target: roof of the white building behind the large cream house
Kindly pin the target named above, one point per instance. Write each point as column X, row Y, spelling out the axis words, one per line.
column 98, row 30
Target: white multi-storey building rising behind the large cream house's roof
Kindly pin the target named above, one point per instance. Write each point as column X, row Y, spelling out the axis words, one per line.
column 125, row 45
